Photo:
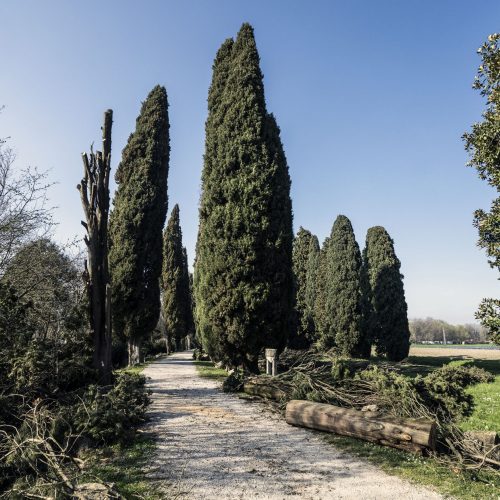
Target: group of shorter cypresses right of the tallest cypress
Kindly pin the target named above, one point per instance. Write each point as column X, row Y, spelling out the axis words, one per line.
column 347, row 300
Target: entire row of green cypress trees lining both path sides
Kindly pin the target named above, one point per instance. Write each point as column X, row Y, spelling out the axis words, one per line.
column 248, row 272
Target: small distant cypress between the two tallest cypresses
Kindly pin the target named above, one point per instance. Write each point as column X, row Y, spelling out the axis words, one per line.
column 175, row 281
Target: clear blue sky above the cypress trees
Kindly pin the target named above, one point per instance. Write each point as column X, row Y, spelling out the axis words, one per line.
column 372, row 99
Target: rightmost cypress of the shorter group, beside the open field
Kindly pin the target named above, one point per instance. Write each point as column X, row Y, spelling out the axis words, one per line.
column 387, row 309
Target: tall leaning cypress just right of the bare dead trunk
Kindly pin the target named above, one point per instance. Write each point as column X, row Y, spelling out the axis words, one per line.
column 136, row 224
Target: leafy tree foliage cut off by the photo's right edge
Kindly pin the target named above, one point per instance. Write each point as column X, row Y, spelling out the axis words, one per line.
column 484, row 148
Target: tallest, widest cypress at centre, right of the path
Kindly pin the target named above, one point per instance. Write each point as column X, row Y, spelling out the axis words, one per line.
column 243, row 277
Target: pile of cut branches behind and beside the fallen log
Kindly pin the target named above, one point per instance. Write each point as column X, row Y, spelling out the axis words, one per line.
column 357, row 384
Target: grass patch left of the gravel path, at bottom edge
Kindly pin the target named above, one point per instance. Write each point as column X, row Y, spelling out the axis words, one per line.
column 123, row 466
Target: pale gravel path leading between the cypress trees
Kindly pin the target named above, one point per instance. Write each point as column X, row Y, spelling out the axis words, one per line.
column 212, row 445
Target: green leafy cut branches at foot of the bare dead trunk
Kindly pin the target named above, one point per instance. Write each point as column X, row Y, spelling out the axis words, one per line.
column 110, row 414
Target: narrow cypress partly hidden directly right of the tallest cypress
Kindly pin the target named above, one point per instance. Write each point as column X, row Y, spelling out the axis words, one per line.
column 300, row 257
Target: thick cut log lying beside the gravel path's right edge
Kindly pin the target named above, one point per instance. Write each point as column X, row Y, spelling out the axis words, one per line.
column 413, row 435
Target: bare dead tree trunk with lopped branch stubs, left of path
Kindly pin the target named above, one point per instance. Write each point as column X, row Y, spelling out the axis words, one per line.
column 94, row 193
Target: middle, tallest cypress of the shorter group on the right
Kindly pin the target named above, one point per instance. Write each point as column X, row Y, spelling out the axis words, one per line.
column 343, row 290
